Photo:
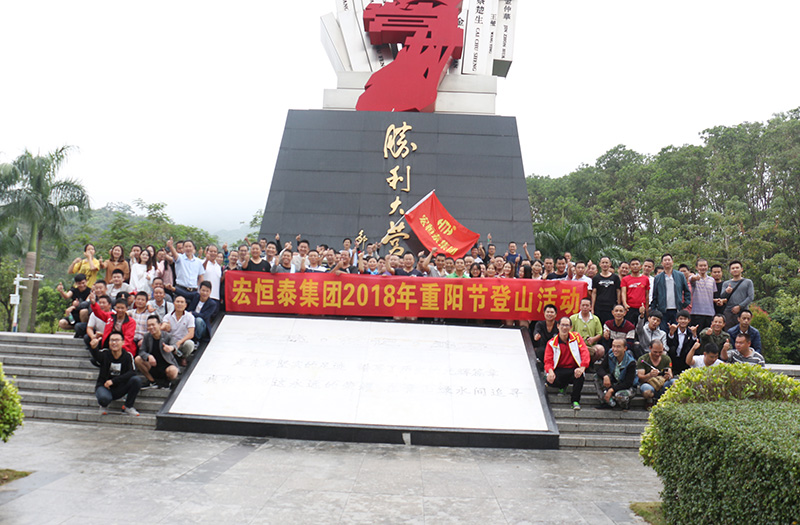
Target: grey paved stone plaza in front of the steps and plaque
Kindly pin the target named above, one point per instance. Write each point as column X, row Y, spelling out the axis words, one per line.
column 86, row 474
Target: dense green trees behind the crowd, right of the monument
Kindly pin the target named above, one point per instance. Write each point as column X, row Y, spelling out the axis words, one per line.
column 733, row 197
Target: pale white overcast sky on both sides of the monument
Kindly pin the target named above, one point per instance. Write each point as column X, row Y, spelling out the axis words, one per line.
column 184, row 102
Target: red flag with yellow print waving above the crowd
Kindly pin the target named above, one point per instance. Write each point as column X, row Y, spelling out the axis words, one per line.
column 434, row 226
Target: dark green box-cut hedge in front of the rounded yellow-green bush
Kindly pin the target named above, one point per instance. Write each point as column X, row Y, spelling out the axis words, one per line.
column 729, row 462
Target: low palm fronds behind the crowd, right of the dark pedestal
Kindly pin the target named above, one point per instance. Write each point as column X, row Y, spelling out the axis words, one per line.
column 580, row 239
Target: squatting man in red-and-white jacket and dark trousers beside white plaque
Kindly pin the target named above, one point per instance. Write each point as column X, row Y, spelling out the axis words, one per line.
column 565, row 360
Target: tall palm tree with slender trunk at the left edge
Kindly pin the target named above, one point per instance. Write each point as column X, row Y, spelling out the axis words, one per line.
column 34, row 197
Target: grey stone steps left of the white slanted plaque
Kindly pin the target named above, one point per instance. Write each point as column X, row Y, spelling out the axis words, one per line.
column 56, row 381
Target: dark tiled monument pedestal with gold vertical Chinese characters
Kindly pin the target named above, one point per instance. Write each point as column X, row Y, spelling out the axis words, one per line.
column 330, row 179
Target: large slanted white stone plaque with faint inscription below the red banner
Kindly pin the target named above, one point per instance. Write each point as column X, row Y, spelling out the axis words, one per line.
column 364, row 373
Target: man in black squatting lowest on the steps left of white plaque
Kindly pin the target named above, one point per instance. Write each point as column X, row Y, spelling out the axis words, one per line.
column 117, row 377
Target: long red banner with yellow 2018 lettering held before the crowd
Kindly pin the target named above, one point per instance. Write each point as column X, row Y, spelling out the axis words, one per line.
column 375, row 296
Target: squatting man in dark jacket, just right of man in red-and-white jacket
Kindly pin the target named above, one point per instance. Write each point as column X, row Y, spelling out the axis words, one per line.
column 616, row 378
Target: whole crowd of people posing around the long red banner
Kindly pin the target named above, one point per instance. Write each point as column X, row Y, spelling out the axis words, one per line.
column 640, row 325
